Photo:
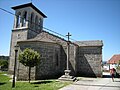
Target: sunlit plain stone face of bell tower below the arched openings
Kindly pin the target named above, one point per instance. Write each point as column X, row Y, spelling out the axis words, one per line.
column 17, row 35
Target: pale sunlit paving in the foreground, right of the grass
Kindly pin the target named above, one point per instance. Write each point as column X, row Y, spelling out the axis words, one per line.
column 94, row 84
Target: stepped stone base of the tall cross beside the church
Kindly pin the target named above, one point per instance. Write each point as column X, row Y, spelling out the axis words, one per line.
column 67, row 77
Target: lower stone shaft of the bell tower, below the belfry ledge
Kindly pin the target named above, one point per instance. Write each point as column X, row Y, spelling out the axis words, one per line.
column 16, row 36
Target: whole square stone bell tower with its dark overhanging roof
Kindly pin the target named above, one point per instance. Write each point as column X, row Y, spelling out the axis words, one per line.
column 28, row 22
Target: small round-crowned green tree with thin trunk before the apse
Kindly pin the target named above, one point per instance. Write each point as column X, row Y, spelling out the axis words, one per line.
column 29, row 58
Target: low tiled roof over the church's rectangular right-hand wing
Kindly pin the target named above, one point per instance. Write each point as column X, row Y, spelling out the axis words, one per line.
column 90, row 43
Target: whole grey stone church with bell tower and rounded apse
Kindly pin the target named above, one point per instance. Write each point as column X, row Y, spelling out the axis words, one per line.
column 85, row 56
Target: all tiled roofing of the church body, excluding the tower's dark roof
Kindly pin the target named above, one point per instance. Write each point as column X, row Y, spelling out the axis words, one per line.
column 49, row 37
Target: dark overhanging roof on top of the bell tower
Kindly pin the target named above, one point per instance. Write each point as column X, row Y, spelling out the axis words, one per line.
column 29, row 5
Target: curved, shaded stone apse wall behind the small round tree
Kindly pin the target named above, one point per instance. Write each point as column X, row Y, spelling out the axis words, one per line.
column 52, row 64
